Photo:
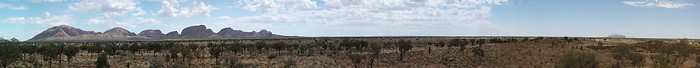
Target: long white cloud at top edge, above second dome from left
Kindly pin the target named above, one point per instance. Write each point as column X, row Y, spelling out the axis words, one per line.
column 109, row 8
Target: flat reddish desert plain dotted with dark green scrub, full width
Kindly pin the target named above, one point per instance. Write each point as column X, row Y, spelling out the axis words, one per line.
column 486, row 52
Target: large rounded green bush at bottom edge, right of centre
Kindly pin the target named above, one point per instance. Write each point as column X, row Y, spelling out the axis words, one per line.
column 578, row 60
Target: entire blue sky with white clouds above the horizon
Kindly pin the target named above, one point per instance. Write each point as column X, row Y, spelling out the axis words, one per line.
column 23, row 19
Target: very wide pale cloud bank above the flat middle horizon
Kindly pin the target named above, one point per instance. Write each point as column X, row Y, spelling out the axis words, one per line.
column 371, row 12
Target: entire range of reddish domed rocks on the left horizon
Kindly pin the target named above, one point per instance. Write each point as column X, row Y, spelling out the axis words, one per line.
column 69, row 33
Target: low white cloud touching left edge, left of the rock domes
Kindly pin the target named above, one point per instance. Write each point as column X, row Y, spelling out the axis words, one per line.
column 48, row 19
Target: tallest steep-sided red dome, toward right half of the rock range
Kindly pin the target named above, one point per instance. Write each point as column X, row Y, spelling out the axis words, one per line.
column 197, row 31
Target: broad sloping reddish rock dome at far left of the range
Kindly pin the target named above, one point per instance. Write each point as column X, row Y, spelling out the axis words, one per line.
column 61, row 31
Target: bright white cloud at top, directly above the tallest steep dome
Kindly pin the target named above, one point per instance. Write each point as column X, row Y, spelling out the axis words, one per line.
column 174, row 9
